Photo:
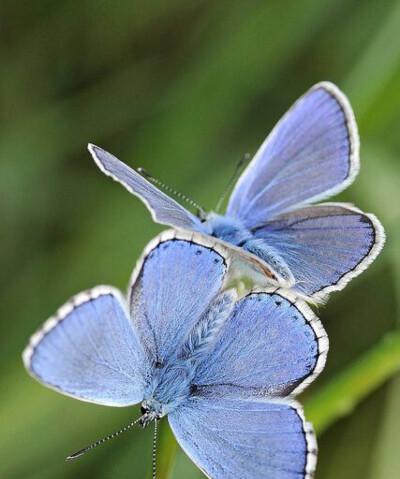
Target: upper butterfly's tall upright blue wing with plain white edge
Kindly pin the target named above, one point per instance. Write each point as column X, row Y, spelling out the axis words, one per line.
column 312, row 153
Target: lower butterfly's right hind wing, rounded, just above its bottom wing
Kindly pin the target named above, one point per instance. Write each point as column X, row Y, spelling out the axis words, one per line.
column 269, row 347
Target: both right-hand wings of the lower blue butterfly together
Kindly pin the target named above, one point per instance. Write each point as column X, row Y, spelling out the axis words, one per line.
column 236, row 423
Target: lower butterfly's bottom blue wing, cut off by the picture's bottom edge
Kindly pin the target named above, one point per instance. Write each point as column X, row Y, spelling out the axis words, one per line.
column 231, row 439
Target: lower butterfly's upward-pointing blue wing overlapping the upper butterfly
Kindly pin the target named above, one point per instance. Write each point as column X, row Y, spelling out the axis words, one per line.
column 172, row 288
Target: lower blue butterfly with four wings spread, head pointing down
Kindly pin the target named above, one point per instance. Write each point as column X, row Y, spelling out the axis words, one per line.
column 224, row 370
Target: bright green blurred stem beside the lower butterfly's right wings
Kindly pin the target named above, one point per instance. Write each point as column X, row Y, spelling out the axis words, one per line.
column 342, row 394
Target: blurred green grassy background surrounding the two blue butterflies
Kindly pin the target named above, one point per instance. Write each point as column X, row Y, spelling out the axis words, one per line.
column 184, row 89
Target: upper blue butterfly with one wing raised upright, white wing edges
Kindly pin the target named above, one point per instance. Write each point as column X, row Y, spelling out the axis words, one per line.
column 274, row 233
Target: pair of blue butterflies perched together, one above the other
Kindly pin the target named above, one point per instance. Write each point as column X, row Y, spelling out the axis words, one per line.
column 225, row 370
